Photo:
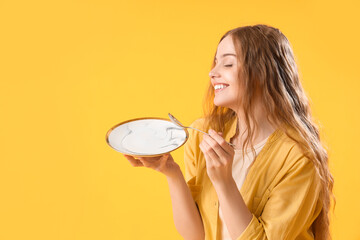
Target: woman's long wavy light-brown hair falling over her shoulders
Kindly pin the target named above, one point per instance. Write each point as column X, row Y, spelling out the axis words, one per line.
column 268, row 67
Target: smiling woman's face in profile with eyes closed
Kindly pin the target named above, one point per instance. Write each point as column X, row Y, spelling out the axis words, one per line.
column 224, row 76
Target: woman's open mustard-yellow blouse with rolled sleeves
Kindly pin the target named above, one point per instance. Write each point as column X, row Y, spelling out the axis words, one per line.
column 281, row 188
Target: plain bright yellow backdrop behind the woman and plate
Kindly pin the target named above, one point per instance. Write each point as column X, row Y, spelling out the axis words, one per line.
column 70, row 70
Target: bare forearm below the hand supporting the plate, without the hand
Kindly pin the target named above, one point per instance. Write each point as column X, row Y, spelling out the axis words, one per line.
column 186, row 216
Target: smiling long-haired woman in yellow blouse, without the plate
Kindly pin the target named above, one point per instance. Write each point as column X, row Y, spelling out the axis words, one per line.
column 274, row 183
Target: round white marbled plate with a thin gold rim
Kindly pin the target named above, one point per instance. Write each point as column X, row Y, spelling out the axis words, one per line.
column 146, row 137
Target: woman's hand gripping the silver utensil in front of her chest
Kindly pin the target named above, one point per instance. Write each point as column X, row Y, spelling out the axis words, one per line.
column 219, row 157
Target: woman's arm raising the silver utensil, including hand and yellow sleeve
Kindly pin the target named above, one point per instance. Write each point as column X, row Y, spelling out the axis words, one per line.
column 291, row 200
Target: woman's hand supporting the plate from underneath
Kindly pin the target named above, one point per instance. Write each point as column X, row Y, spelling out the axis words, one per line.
column 164, row 164
